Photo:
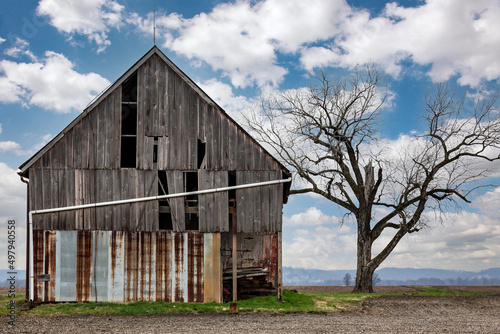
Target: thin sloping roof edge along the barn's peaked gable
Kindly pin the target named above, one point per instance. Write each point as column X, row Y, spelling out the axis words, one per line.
column 23, row 169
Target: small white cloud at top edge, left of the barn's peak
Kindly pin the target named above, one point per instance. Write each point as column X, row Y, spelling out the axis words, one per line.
column 91, row 18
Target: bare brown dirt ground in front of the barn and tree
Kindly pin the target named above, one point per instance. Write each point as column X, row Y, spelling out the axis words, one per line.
column 407, row 314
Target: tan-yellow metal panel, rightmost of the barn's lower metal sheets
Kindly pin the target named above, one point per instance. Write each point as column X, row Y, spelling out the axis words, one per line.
column 212, row 279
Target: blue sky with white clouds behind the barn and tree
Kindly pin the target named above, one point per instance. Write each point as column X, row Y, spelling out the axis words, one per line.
column 56, row 55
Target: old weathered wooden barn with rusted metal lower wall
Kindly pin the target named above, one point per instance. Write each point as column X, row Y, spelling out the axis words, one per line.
column 153, row 193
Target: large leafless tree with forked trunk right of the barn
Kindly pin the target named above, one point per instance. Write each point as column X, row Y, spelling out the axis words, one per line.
column 328, row 135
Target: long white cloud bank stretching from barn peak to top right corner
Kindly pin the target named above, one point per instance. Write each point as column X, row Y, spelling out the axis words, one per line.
column 243, row 39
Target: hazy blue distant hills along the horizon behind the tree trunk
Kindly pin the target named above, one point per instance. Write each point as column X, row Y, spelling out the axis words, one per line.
column 394, row 276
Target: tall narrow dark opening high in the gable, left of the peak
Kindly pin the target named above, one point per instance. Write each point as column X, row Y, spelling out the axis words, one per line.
column 128, row 150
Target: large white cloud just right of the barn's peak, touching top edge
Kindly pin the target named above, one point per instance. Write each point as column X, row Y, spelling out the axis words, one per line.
column 243, row 39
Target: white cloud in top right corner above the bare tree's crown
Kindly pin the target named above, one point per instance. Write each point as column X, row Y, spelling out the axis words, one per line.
column 454, row 37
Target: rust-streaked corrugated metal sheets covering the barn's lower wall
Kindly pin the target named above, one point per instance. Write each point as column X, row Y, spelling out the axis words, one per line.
column 124, row 266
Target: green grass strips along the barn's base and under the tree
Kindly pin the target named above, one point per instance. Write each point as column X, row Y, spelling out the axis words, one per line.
column 292, row 303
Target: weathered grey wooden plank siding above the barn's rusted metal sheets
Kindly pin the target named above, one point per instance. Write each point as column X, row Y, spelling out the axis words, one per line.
column 84, row 165
